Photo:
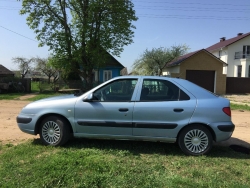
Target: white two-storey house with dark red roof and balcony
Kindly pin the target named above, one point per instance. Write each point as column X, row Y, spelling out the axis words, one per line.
column 236, row 53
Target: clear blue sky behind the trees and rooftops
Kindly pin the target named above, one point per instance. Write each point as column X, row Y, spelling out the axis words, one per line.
column 162, row 23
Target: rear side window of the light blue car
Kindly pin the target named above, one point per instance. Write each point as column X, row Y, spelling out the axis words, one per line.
column 161, row 90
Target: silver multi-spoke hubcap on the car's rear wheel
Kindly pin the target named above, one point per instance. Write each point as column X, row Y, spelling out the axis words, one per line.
column 196, row 141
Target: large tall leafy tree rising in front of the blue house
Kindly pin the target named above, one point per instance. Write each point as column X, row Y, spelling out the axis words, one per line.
column 79, row 32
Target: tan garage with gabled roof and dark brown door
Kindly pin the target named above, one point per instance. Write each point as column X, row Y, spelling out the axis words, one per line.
column 200, row 67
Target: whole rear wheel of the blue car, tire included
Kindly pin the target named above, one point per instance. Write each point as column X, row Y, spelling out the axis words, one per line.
column 195, row 140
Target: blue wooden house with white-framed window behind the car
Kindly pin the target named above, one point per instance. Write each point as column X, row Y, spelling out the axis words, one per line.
column 111, row 69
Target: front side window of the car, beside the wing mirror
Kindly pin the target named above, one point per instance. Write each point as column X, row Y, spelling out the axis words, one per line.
column 119, row 90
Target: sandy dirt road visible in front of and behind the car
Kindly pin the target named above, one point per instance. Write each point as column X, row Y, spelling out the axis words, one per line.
column 10, row 132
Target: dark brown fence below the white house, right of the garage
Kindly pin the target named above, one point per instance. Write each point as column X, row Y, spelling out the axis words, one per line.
column 238, row 85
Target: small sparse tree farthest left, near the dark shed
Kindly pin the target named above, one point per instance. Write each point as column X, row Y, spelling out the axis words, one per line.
column 24, row 65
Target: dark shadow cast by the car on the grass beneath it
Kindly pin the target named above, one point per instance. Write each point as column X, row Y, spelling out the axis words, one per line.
column 144, row 147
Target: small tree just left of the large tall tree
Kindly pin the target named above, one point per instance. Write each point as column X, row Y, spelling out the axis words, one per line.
column 44, row 65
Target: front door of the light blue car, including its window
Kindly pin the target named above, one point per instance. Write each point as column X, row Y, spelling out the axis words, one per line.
column 110, row 113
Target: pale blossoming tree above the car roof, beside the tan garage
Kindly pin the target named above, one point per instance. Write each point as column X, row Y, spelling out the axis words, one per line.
column 153, row 61
